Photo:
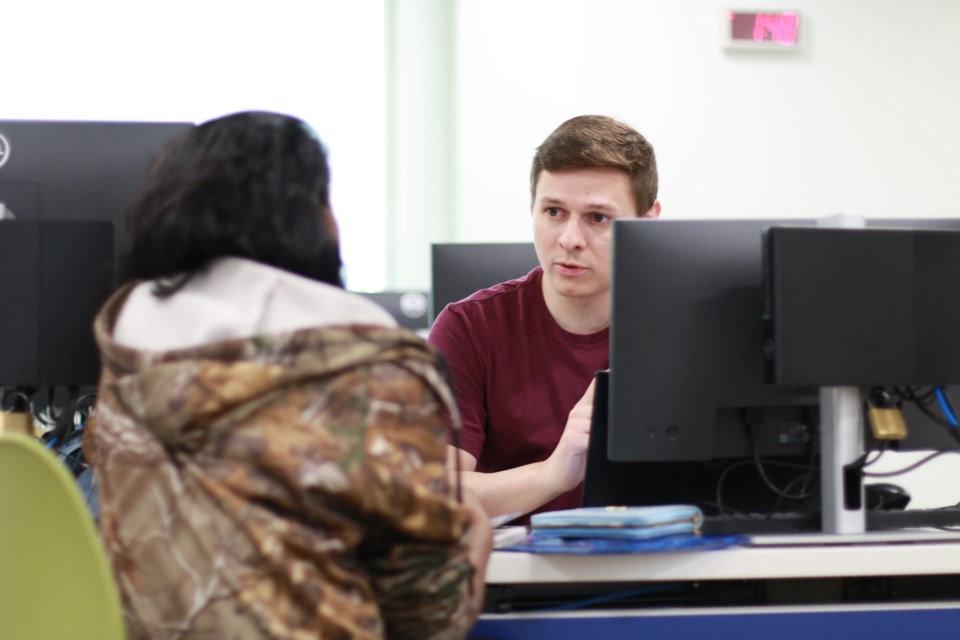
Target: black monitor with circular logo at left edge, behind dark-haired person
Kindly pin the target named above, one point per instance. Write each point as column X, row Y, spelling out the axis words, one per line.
column 67, row 186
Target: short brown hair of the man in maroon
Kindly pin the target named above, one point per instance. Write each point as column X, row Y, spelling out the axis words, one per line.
column 600, row 141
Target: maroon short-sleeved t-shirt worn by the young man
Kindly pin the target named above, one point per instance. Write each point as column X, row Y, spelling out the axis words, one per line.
column 517, row 374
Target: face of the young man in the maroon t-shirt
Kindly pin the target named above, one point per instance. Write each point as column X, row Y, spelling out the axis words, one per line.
column 573, row 212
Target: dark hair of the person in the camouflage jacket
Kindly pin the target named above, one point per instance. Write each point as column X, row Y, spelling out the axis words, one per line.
column 252, row 185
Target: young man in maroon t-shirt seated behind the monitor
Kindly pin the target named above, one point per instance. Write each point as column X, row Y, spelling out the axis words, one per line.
column 524, row 352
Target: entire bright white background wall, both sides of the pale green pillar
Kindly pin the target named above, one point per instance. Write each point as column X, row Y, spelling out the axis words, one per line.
column 862, row 120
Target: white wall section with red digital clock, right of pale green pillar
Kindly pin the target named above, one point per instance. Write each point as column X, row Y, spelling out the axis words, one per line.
column 861, row 120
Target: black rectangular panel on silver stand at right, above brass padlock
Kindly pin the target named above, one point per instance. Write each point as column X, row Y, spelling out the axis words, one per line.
column 862, row 306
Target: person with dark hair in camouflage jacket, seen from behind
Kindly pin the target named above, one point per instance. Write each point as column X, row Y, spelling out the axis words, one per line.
column 269, row 450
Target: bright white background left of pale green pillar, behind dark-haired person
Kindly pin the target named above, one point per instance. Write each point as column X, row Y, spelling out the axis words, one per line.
column 181, row 60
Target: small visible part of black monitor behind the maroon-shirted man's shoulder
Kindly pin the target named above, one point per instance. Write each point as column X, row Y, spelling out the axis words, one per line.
column 460, row 269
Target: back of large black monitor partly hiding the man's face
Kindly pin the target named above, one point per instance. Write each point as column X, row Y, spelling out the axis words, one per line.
column 686, row 345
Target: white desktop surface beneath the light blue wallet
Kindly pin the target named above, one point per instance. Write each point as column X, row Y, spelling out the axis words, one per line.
column 911, row 555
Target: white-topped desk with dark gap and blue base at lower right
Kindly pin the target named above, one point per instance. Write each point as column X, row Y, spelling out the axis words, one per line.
column 907, row 588
